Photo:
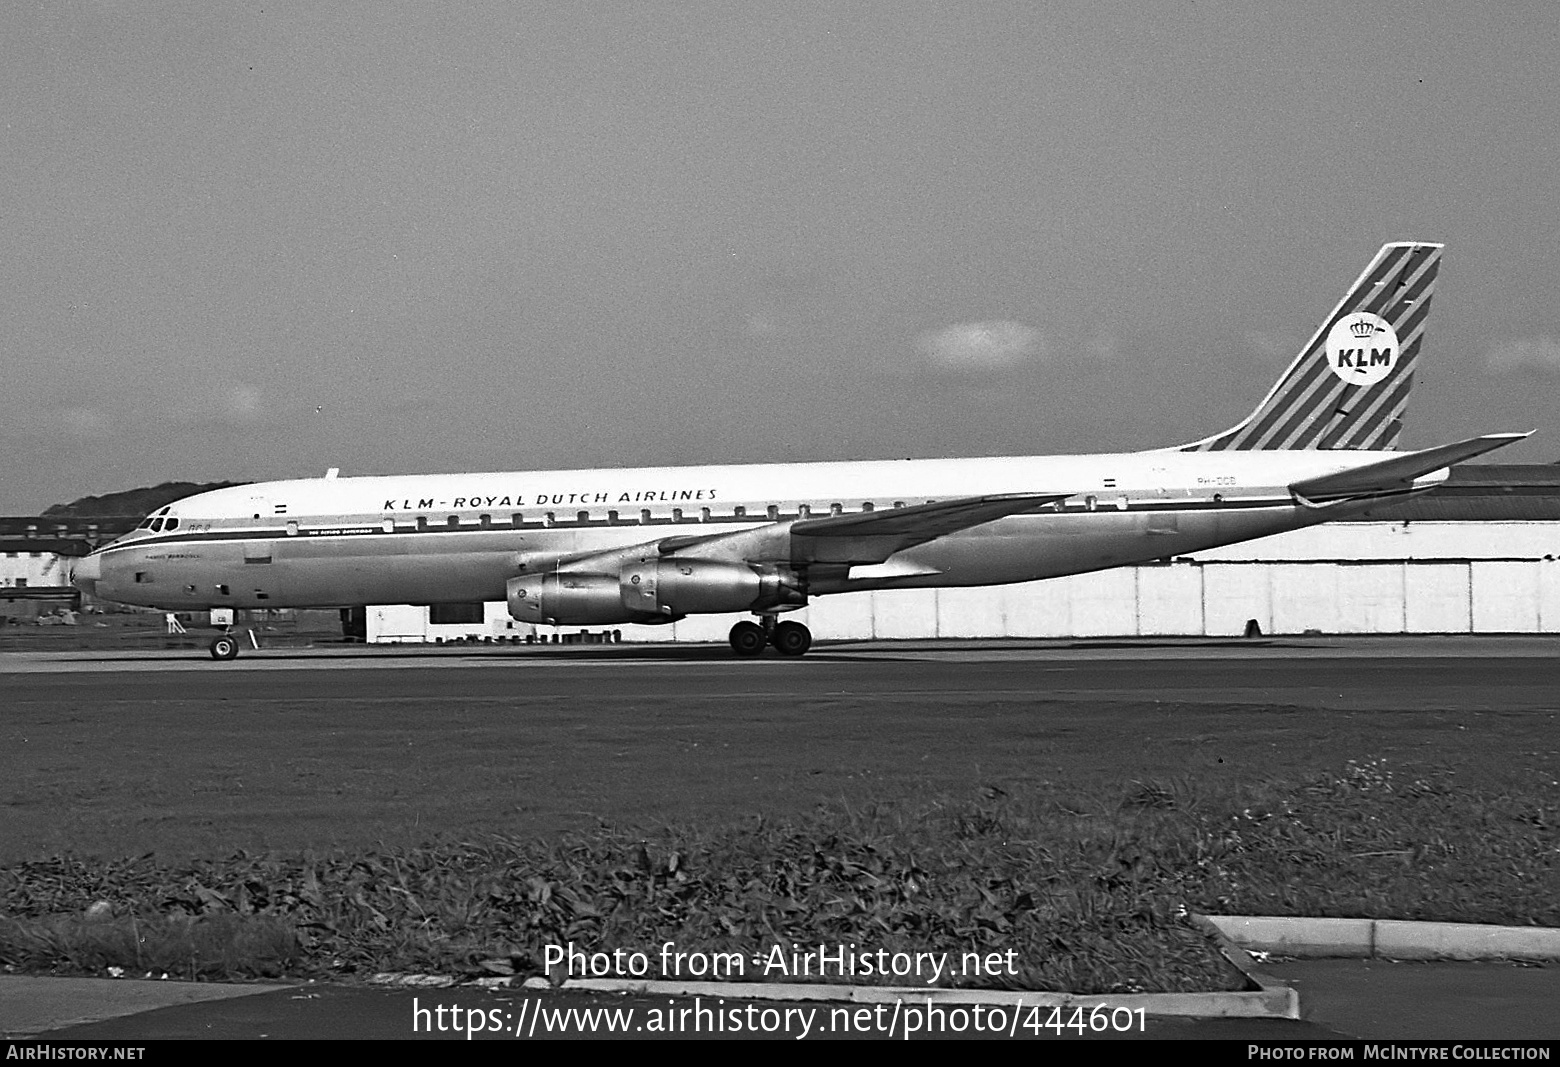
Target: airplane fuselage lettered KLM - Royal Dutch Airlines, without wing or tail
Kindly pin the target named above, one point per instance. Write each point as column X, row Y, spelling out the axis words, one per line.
column 461, row 537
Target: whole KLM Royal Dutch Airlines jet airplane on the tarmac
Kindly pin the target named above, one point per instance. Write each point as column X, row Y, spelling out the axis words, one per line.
column 658, row 545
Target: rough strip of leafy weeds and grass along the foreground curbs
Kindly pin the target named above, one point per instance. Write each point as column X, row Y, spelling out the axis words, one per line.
column 1090, row 892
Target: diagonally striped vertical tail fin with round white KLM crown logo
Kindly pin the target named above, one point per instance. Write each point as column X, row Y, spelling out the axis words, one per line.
column 1349, row 386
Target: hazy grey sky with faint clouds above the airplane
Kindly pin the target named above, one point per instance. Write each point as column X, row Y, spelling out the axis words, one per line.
column 255, row 241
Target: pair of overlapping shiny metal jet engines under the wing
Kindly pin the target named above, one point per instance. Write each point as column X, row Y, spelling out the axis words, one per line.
column 653, row 590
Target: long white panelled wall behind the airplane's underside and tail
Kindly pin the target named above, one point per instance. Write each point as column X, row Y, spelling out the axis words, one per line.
column 1349, row 578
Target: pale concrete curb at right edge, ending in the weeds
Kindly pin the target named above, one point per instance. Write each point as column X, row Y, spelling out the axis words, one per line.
column 1386, row 938
